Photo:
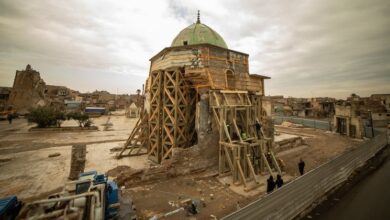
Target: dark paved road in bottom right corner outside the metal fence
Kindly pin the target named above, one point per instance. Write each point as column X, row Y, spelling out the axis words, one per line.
column 369, row 199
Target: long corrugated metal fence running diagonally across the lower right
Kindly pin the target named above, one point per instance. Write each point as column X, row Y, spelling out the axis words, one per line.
column 298, row 195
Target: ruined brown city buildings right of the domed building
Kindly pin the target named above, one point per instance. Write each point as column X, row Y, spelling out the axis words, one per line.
column 354, row 116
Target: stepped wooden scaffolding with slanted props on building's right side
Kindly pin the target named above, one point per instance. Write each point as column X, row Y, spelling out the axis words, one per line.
column 243, row 152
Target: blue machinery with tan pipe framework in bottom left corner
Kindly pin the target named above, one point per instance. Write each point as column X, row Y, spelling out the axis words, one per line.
column 91, row 197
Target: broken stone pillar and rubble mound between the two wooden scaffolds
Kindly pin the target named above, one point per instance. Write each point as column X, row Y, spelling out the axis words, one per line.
column 197, row 158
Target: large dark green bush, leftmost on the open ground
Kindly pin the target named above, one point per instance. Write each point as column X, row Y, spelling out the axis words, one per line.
column 46, row 117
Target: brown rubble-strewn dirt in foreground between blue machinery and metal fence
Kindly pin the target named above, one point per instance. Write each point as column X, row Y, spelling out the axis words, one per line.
column 165, row 196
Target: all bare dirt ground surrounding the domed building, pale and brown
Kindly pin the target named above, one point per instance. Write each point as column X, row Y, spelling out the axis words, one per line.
column 28, row 172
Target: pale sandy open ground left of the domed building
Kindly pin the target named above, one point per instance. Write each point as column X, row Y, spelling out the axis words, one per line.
column 28, row 172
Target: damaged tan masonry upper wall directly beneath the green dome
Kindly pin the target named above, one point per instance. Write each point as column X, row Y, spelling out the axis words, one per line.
column 208, row 65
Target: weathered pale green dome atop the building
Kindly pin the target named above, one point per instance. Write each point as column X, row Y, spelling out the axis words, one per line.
column 198, row 34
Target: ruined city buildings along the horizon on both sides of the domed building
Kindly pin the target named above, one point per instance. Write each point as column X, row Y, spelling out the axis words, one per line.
column 352, row 116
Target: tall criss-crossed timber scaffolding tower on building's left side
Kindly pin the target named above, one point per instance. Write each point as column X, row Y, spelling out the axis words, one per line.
column 171, row 121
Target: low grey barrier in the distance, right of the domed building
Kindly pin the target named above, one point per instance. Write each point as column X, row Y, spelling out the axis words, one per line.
column 311, row 123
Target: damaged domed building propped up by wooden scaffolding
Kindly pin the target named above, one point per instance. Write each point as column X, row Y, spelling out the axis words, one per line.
column 200, row 92
